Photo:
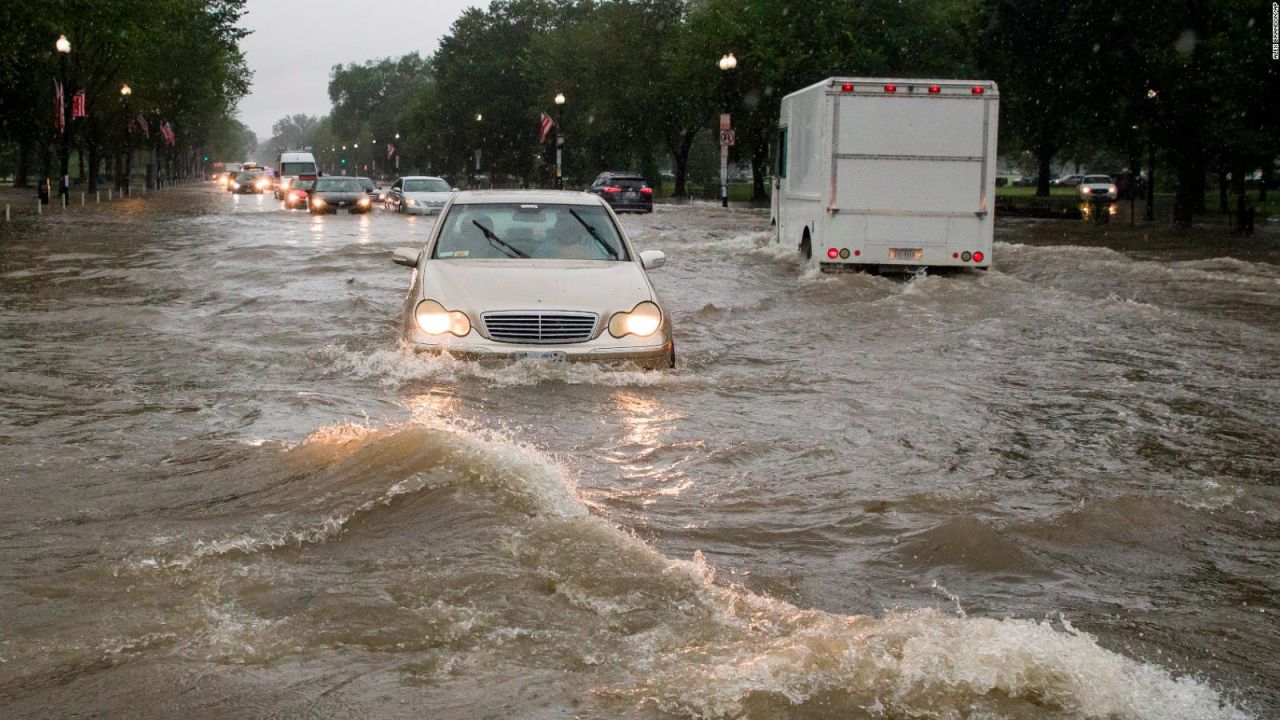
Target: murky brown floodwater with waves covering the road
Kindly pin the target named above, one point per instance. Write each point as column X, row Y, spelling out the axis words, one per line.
column 1045, row 491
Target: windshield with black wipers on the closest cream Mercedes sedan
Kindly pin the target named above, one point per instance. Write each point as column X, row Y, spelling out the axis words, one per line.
column 528, row 230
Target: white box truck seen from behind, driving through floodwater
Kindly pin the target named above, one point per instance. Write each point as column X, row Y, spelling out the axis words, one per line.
column 885, row 175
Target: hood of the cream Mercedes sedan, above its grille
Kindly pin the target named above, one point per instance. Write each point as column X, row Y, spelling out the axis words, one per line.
column 588, row 286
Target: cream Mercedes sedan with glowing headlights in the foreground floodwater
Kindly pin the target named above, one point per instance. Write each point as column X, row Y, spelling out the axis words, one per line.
column 541, row 276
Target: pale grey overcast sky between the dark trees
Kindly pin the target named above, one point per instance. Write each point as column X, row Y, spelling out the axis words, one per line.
column 295, row 44
